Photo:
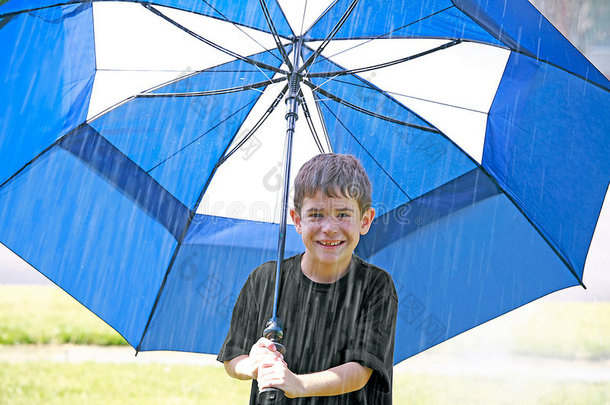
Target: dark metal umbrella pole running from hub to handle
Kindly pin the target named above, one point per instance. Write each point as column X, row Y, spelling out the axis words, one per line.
column 273, row 330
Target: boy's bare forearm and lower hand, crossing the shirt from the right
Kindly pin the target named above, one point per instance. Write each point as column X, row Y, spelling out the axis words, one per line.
column 337, row 380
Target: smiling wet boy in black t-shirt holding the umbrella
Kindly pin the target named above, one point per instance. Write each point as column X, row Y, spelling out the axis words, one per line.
column 339, row 312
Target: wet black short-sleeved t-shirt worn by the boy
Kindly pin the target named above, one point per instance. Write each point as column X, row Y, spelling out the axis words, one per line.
column 325, row 325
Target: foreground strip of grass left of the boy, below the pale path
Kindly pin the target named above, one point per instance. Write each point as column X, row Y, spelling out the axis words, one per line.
column 98, row 383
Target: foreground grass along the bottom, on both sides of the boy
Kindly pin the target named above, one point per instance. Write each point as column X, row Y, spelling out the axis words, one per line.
column 97, row 383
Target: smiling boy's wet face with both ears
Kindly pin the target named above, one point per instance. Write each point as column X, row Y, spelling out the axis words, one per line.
column 331, row 227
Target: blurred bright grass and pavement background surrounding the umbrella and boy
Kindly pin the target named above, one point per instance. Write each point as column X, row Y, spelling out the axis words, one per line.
column 555, row 350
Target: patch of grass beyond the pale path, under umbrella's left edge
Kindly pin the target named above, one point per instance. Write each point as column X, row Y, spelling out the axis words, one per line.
column 46, row 314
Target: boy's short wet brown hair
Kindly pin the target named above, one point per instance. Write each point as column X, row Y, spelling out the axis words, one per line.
column 336, row 175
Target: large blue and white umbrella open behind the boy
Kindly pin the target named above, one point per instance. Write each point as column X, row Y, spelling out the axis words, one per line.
column 143, row 143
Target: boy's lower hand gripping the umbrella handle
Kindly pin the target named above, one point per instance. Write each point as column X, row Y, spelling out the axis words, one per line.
column 273, row 372
